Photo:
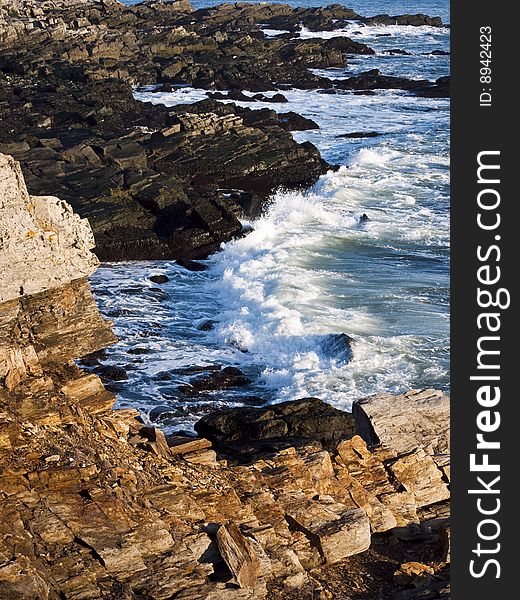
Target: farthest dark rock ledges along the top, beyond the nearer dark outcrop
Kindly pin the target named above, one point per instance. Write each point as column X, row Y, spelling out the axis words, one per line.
column 221, row 47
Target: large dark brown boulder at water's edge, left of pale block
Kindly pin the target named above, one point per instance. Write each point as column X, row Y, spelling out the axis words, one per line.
column 310, row 419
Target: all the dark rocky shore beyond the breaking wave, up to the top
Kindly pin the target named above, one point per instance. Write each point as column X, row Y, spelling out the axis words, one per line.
column 158, row 183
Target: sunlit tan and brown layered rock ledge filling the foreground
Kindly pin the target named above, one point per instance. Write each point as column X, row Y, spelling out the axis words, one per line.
column 95, row 505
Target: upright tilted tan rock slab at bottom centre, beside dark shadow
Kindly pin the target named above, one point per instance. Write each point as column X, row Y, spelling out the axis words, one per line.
column 239, row 555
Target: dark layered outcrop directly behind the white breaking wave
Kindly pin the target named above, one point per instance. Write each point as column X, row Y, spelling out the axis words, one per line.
column 154, row 182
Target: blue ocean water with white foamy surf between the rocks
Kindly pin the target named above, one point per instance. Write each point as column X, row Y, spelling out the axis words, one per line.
column 312, row 269
